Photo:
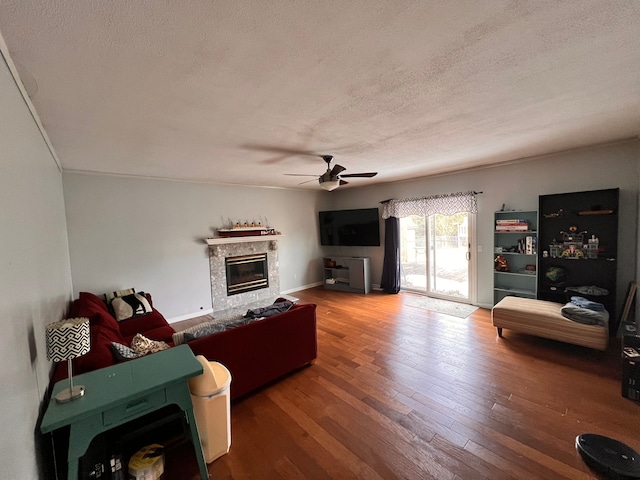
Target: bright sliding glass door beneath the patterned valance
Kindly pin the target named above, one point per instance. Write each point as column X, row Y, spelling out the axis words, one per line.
column 435, row 255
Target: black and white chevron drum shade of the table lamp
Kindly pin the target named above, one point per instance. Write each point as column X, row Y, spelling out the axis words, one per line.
column 67, row 339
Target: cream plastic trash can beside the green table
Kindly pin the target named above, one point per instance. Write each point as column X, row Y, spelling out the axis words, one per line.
column 211, row 407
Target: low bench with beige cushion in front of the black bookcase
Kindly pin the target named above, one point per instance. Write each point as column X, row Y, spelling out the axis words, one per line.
column 543, row 319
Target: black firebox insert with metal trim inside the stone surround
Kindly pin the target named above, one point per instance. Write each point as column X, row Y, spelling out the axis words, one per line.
column 246, row 273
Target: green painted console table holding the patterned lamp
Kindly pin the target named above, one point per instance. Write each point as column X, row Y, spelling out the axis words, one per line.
column 118, row 394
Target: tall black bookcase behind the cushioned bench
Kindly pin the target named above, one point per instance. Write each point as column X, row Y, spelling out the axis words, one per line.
column 568, row 254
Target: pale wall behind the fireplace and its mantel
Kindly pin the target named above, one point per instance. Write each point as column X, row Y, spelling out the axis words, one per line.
column 149, row 235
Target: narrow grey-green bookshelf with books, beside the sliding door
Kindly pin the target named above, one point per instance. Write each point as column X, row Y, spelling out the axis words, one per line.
column 515, row 242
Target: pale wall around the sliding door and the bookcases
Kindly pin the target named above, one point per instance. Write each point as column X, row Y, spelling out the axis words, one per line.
column 518, row 186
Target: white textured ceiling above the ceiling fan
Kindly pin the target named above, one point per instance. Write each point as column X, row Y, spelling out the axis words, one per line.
column 237, row 91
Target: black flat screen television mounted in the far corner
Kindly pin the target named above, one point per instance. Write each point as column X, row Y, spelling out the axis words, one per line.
column 350, row 228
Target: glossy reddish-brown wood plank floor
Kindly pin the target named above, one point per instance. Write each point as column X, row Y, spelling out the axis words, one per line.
column 402, row 392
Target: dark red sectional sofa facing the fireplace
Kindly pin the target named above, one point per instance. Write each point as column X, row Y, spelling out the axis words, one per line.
column 255, row 354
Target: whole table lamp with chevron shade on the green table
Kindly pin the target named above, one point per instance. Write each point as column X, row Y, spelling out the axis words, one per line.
column 68, row 339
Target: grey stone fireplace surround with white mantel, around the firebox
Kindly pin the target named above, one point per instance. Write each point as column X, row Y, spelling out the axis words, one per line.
column 219, row 249
